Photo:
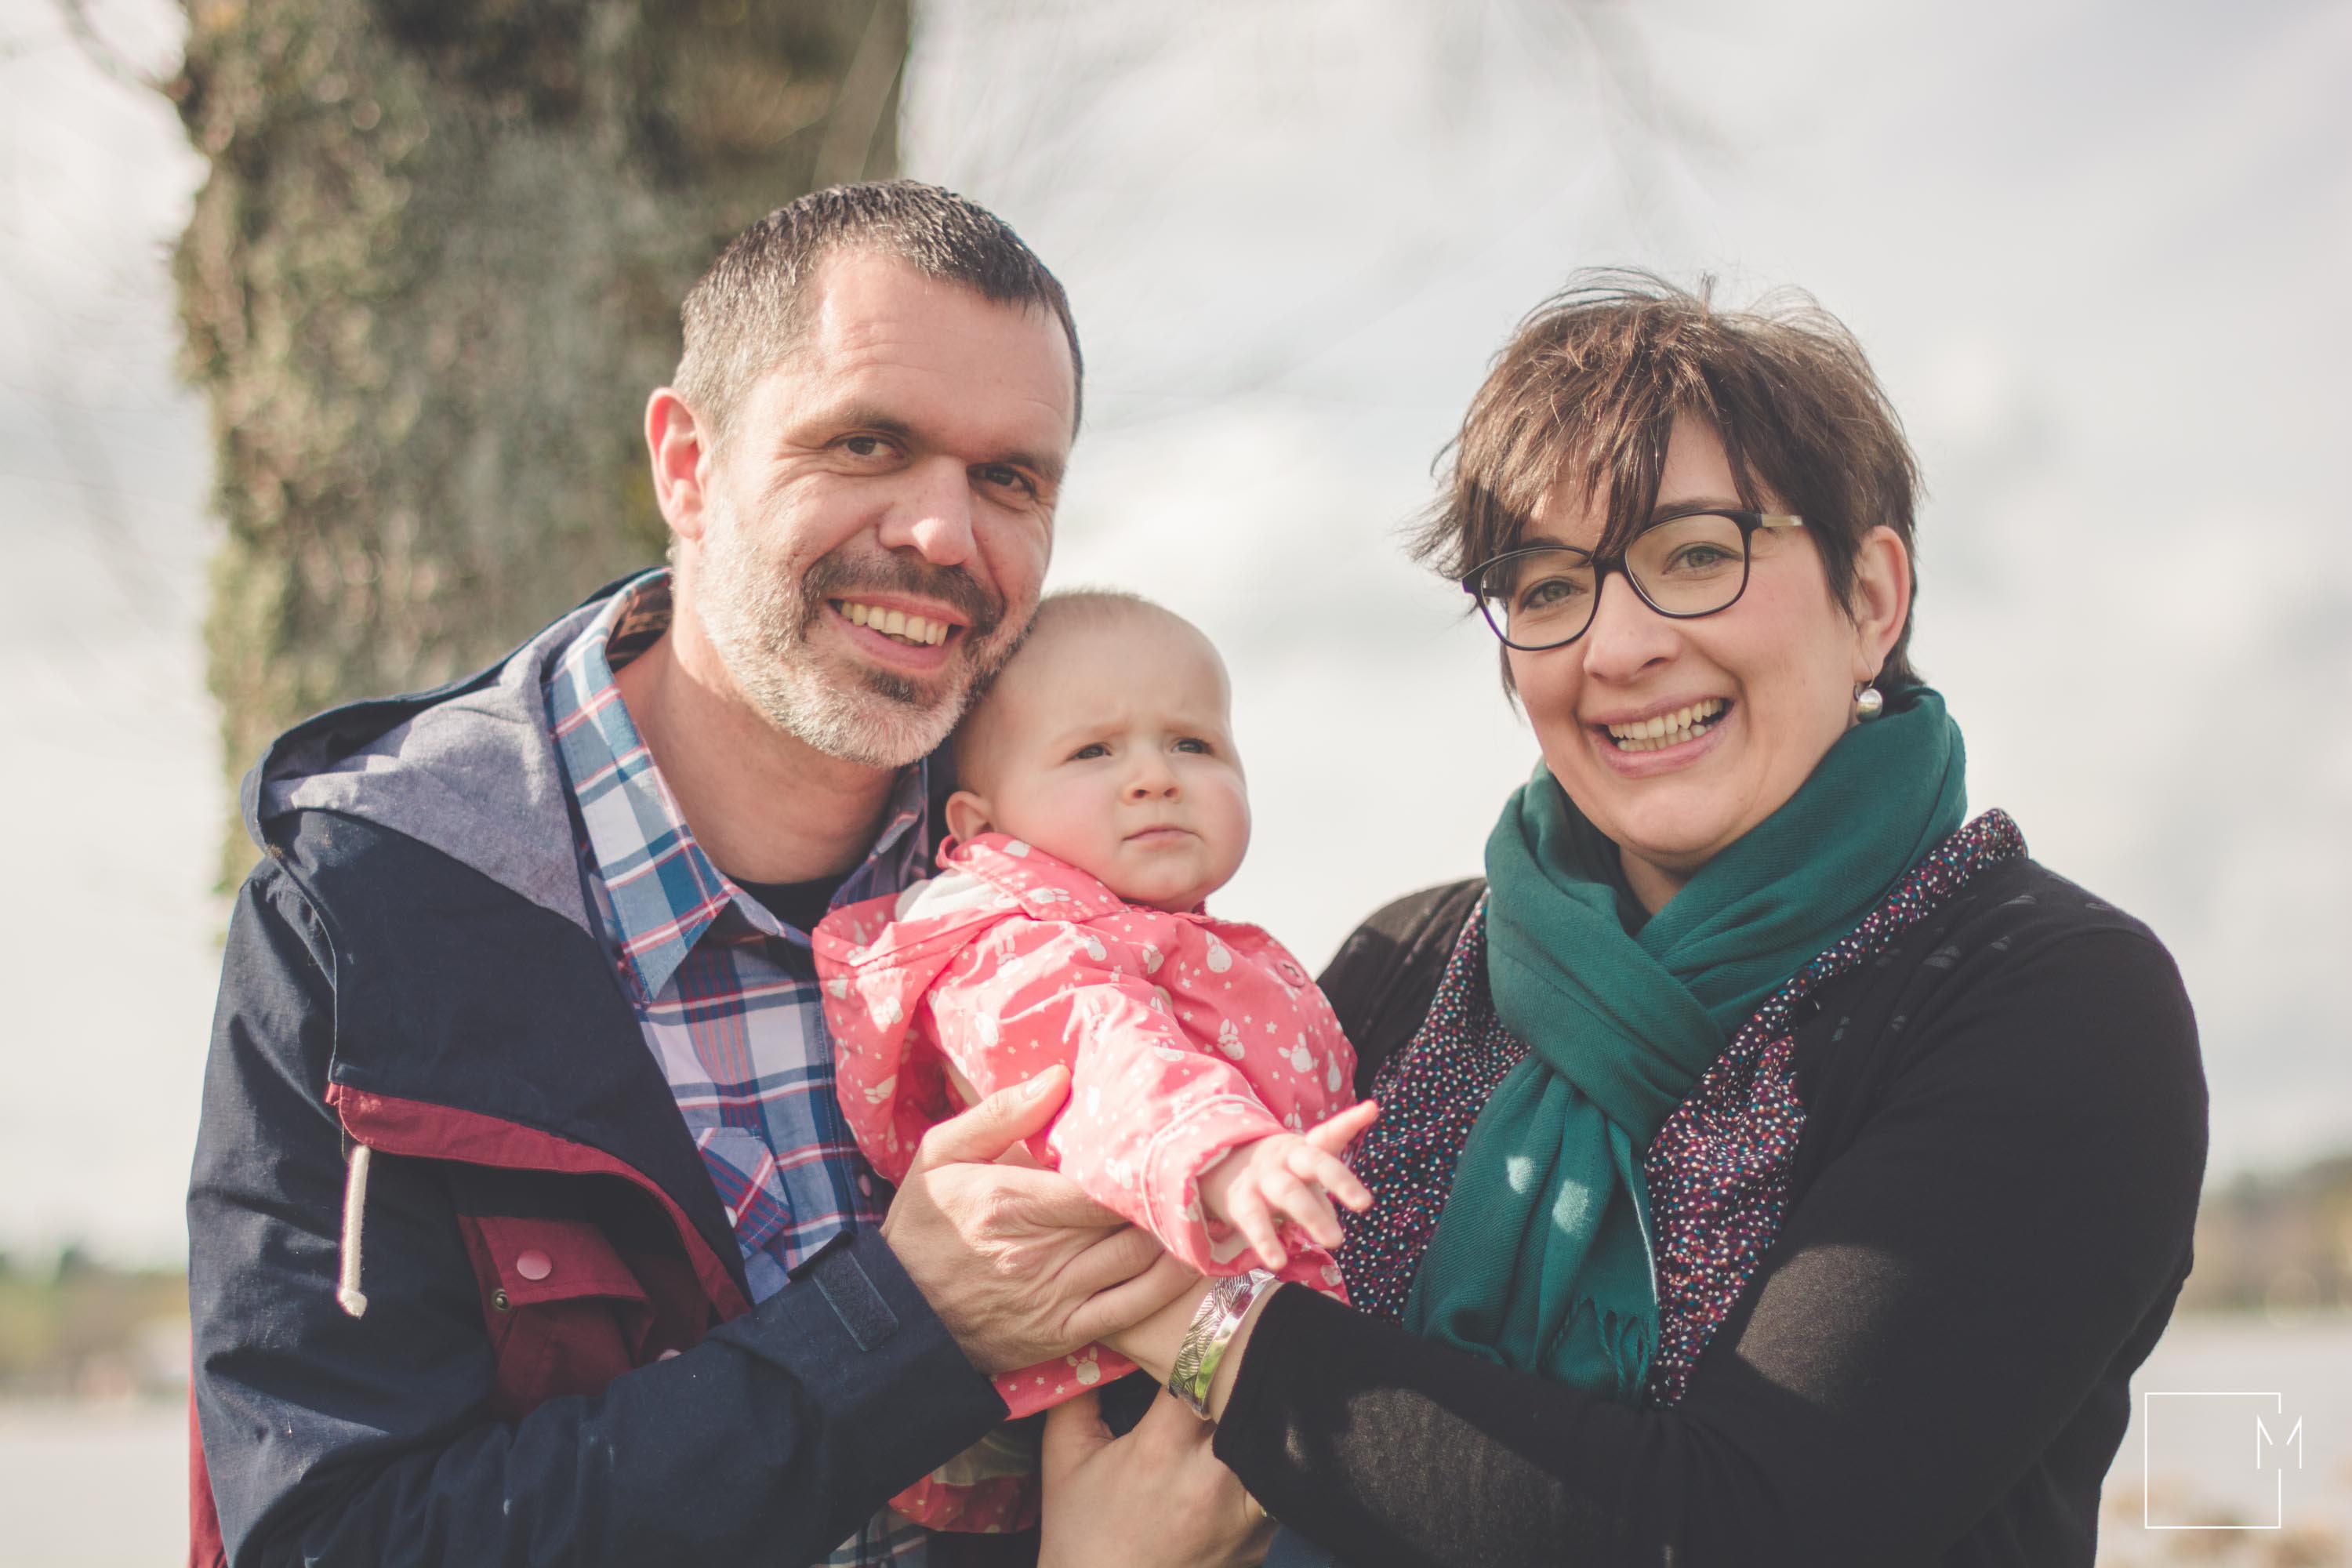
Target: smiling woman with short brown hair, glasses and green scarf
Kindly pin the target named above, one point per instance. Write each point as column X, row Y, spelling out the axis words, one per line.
column 1777, row 1165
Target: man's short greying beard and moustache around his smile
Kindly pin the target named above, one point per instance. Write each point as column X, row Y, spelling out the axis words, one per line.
column 761, row 624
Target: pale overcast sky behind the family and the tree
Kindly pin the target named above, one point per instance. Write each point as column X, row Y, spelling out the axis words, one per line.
column 2094, row 248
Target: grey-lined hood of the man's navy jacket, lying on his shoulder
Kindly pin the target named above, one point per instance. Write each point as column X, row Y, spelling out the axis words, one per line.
column 467, row 770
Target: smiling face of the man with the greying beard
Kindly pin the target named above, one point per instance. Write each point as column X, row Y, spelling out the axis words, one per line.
column 874, row 530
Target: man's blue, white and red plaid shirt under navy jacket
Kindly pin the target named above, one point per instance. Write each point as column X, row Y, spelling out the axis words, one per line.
column 723, row 989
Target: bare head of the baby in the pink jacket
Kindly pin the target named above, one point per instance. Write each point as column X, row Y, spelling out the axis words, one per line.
column 1111, row 749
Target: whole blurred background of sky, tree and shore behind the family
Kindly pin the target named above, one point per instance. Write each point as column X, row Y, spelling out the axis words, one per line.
column 326, row 330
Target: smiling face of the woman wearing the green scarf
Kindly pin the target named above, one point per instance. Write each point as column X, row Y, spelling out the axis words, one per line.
column 1782, row 666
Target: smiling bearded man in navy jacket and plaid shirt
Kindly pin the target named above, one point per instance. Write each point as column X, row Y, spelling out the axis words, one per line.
column 523, row 1221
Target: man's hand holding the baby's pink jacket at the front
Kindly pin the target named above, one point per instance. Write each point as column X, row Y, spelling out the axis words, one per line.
column 1020, row 1264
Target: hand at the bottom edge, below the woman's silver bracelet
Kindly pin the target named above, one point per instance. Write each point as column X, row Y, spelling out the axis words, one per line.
column 1149, row 1499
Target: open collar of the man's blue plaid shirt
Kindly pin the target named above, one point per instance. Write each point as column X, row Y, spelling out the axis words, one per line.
column 662, row 892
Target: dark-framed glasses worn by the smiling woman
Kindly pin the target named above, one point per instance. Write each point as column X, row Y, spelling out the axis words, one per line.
column 1685, row 568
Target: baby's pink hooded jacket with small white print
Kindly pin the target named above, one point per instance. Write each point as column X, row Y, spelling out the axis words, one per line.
column 1184, row 1036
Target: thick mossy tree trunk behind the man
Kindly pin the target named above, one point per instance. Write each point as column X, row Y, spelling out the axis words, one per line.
column 429, row 283
